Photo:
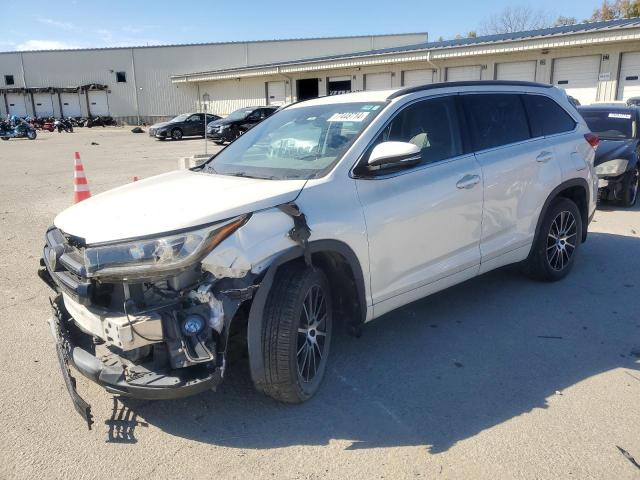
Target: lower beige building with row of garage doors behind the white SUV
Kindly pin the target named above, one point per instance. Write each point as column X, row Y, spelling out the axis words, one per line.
column 597, row 61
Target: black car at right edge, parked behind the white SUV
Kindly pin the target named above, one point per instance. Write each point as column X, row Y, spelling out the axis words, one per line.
column 617, row 155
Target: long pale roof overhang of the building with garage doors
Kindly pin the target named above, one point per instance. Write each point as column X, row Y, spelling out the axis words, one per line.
column 541, row 42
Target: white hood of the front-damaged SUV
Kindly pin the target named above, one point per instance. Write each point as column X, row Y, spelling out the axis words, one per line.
column 172, row 201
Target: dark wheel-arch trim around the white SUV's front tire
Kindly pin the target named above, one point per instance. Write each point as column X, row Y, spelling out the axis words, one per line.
column 255, row 322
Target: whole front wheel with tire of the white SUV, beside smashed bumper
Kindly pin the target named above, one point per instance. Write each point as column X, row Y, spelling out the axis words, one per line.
column 297, row 336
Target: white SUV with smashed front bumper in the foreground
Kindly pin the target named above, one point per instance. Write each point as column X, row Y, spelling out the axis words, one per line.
column 336, row 209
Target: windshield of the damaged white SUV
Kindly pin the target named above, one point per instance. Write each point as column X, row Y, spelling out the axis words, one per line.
column 299, row 142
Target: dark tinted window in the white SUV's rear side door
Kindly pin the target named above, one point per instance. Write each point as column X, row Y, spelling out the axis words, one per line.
column 496, row 119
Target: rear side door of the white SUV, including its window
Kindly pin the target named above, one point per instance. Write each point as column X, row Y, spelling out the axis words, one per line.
column 519, row 171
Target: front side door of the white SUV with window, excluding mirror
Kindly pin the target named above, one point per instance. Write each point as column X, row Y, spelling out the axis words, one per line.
column 423, row 222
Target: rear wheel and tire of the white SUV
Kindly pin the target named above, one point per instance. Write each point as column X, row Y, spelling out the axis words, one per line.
column 554, row 250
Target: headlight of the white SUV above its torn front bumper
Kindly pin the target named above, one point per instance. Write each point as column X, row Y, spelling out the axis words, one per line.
column 150, row 257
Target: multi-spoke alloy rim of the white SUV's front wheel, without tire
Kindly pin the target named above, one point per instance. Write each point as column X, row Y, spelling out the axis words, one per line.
column 312, row 334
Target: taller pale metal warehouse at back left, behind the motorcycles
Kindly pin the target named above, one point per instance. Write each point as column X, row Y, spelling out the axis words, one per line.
column 132, row 83
